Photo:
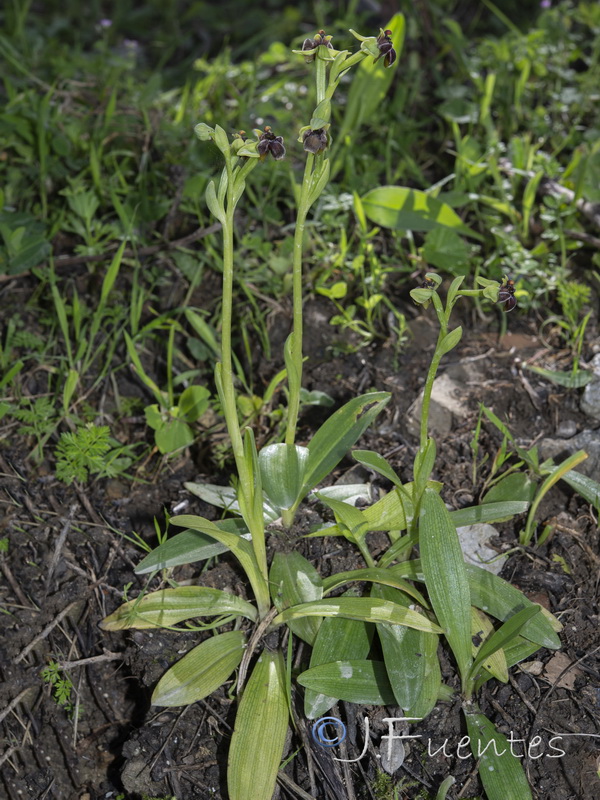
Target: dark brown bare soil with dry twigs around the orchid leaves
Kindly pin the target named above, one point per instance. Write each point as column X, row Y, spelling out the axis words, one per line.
column 67, row 564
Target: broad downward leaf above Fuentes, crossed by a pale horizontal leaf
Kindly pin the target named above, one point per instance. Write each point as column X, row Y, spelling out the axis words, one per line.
column 402, row 649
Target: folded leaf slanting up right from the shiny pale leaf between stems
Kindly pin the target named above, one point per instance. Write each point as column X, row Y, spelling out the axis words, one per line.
column 337, row 435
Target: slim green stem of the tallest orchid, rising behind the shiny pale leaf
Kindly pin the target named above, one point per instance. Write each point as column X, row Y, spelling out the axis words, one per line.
column 297, row 321
